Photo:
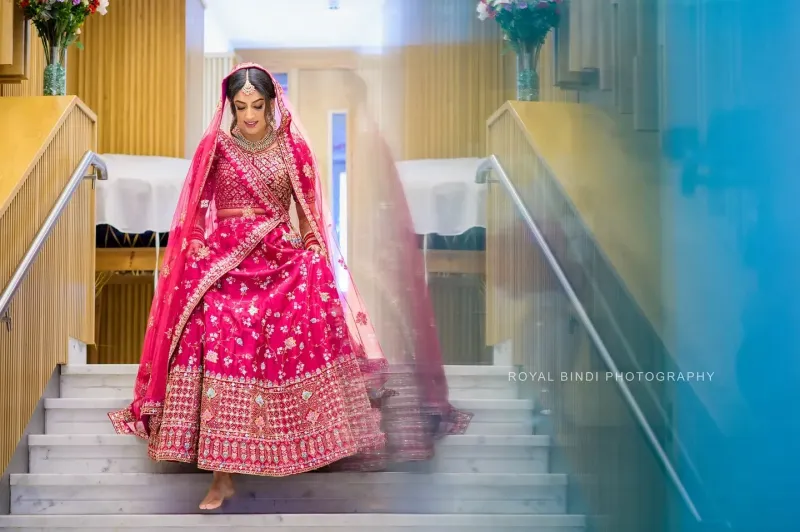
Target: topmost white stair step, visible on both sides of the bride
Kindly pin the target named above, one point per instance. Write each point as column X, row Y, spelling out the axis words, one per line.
column 116, row 380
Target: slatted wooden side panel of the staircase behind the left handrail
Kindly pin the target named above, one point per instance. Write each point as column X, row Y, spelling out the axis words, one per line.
column 56, row 299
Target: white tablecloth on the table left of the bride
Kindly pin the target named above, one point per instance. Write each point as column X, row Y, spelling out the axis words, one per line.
column 141, row 193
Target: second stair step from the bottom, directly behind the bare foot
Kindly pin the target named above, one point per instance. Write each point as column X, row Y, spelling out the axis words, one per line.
column 448, row 493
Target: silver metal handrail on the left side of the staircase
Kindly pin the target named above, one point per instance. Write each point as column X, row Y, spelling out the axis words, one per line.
column 101, row 173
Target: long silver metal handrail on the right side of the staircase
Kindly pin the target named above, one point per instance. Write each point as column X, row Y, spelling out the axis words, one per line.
column 491, row 163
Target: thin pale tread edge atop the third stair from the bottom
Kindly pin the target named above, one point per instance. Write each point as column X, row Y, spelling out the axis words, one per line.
column 125, row 440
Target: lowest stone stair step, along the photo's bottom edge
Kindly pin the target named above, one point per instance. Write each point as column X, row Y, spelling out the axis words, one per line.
column 298, row 523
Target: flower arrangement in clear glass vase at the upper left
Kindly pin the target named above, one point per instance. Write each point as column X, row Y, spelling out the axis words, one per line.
column 58, row 23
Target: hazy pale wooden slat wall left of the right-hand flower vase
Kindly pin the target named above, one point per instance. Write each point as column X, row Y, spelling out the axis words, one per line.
column 453, row 76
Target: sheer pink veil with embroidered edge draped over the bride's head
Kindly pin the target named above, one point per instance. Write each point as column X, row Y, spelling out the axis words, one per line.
column 169, row 309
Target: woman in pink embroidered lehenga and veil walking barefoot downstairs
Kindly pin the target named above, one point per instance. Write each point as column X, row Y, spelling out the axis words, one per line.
column 256, row 360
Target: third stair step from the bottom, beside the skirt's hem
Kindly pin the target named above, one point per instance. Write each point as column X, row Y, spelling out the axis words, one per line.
column 112, row 453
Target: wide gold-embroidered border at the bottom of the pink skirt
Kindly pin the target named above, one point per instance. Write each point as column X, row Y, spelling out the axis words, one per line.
column 242, row 435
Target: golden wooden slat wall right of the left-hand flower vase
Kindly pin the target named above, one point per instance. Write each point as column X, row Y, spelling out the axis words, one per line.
column 133, row 74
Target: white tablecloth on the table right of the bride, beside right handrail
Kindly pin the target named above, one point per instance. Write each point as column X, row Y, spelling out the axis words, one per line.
column 443, row 196
